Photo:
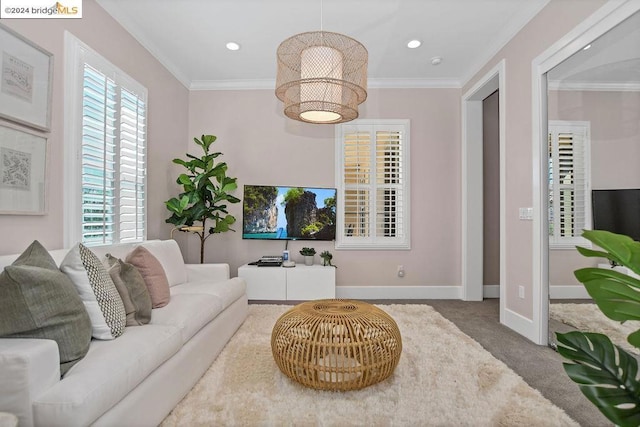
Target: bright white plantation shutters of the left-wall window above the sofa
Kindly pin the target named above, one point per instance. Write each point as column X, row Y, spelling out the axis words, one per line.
column 113, row 160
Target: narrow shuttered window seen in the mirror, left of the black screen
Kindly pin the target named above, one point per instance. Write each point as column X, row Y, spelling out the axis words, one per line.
column 569, row 186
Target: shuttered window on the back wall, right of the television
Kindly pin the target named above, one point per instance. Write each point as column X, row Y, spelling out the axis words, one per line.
column 373, row 184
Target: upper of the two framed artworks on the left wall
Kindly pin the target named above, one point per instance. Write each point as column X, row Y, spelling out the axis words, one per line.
column 25, row 81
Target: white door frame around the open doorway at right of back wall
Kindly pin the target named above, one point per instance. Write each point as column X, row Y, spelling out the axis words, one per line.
column 472, row 178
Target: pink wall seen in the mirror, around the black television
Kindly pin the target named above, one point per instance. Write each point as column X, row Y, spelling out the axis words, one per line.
column 615, row 150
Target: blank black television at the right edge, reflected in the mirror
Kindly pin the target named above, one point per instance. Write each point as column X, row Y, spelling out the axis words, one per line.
column 617, row 211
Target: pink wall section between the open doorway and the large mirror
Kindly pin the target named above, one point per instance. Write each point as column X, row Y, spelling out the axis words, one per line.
column 553, row 22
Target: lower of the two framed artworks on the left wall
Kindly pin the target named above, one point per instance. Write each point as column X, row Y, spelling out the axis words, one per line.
column 23, row 159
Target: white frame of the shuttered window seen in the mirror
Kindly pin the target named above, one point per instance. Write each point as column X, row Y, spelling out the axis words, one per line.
column 584, row 127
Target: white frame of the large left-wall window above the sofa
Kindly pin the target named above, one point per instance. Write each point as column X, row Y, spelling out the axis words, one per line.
column 77, row 54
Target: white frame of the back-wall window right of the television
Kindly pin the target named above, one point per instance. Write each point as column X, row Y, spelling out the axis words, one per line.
column 374, row 241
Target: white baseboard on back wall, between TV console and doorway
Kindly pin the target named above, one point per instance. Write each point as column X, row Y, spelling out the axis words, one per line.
column 399, row 292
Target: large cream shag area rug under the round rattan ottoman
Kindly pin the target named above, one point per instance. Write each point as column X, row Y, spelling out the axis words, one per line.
column 444, row 378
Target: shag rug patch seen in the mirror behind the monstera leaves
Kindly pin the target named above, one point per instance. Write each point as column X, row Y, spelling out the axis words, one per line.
column 589, row 318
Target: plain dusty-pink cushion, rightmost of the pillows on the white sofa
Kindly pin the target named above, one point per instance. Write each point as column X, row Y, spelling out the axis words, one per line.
column 153, row 274
